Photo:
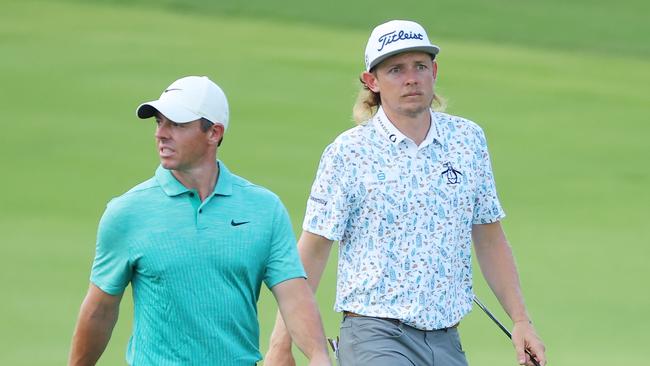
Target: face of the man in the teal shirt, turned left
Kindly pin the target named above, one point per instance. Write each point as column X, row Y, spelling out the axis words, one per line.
column 182, row 146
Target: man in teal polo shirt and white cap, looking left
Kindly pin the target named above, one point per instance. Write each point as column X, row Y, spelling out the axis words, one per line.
column 195, row 242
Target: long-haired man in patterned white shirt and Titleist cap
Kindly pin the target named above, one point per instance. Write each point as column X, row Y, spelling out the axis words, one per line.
column 405, row 193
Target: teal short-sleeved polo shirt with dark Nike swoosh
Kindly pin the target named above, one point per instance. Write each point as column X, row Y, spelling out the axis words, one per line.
column 196, row 268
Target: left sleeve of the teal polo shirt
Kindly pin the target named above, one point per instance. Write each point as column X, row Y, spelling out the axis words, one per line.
column 111, row 269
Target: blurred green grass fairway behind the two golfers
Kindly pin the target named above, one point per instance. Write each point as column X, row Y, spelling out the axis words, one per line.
column 560, row 89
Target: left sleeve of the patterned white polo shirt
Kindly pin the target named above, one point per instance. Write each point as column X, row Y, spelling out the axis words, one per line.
column 329, row 203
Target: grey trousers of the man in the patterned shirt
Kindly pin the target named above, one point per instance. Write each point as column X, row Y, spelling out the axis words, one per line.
column 382, row 342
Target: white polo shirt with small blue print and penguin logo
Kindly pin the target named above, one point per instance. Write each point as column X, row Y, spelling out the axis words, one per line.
column 403, row 216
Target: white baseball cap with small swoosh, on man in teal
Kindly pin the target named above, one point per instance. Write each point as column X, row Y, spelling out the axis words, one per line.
column 188, row 99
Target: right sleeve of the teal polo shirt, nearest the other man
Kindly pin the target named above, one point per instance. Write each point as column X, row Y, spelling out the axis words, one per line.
column 283, row 262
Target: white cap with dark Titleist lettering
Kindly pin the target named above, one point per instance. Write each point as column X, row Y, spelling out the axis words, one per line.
column 397, row 36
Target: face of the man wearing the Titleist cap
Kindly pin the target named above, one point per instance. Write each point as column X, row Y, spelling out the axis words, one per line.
column 405, row 83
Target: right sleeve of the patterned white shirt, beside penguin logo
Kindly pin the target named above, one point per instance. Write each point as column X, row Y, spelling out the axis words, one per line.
column 487, row 208
